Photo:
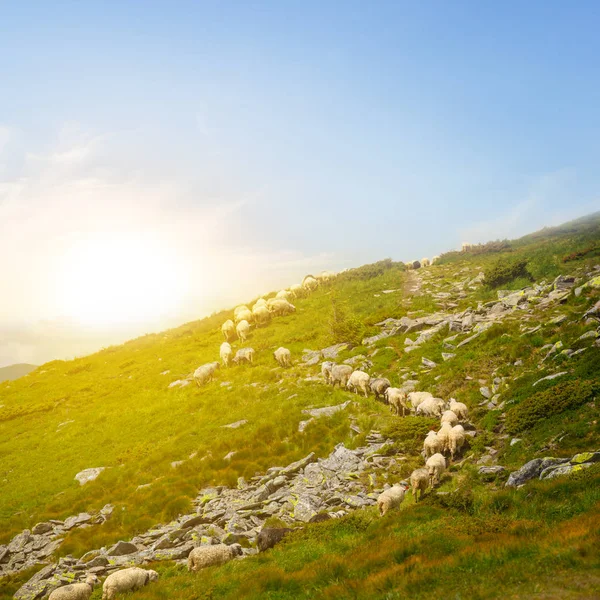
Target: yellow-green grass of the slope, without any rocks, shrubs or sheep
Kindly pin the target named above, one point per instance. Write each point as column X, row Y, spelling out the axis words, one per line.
column 120, row 414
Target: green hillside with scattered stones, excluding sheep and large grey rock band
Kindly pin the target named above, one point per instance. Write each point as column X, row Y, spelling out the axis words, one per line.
column 470, row 538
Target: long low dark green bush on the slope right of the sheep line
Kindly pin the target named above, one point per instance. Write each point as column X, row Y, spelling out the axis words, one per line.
column 553, row 401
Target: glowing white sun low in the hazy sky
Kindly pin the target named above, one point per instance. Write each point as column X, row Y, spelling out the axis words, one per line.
column 116, row 279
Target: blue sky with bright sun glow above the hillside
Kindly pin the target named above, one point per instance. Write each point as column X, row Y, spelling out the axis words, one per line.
column 163, row 160
